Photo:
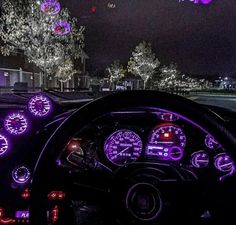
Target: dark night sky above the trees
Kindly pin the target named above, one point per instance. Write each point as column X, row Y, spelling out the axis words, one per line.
column 200, row 39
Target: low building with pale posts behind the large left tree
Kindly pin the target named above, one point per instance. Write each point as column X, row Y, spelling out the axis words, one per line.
column 15, row 74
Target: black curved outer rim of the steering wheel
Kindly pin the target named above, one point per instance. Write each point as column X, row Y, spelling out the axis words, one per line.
column 191, row 110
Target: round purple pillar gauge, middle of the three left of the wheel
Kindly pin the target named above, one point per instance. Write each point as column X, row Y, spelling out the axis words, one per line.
column 16, row 123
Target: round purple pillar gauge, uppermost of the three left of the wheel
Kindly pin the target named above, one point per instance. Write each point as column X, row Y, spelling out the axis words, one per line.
column 40, row 106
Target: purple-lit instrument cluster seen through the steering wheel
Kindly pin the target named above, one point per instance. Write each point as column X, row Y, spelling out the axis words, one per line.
column 122, row 138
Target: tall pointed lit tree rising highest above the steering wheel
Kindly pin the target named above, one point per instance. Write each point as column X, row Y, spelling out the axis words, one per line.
column 143, row 62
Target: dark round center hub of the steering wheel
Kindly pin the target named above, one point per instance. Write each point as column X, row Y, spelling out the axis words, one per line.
column 143, row 202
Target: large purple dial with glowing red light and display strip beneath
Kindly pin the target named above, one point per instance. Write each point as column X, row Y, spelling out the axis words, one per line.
column 167, row 141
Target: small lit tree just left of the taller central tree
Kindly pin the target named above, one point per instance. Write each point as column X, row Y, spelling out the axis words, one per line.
column 116, row 72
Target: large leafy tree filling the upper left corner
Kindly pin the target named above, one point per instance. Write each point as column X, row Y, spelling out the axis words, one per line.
column 23, row 26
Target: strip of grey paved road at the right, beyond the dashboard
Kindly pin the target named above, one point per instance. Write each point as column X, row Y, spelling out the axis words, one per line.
column 222, row 101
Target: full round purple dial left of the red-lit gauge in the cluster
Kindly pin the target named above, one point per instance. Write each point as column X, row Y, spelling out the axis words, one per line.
column 122, row 147
